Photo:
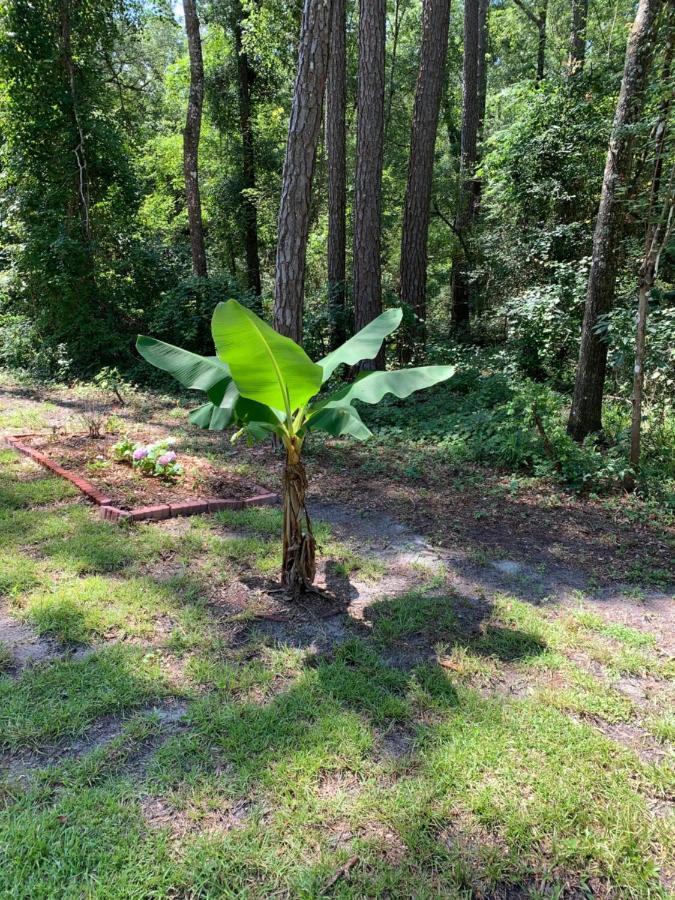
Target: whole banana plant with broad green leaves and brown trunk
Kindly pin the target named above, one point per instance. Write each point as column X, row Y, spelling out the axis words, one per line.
column 265, row 384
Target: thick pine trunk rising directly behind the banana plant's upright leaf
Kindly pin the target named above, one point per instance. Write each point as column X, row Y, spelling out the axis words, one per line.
column 296, row 191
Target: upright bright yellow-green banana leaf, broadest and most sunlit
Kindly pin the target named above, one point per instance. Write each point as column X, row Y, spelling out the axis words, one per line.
column 266, row 366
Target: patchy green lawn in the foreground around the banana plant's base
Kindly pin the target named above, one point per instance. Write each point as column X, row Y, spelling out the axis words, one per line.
column 456, row 746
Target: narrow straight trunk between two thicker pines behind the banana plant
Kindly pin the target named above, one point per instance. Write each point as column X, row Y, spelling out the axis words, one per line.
column 336, row 109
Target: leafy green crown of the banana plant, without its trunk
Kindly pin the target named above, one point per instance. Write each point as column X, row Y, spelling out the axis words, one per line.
column 266, row 381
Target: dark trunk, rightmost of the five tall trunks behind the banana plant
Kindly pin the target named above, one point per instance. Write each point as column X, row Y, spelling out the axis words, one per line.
column 473, row 111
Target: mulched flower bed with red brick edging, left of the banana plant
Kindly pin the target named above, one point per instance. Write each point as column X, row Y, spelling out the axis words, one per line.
column 122, row 490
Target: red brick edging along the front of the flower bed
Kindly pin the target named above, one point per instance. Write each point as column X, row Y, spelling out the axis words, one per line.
column 147, row 513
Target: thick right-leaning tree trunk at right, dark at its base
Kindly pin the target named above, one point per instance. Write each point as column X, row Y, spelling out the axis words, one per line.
column 586, row 411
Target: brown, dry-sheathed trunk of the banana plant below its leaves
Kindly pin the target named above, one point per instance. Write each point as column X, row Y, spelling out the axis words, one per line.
column 298, row 566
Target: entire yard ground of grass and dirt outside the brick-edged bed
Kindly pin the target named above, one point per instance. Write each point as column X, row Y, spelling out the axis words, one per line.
column 479, row 705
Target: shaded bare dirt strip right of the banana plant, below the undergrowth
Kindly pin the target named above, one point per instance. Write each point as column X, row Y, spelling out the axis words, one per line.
column 573, row 538
